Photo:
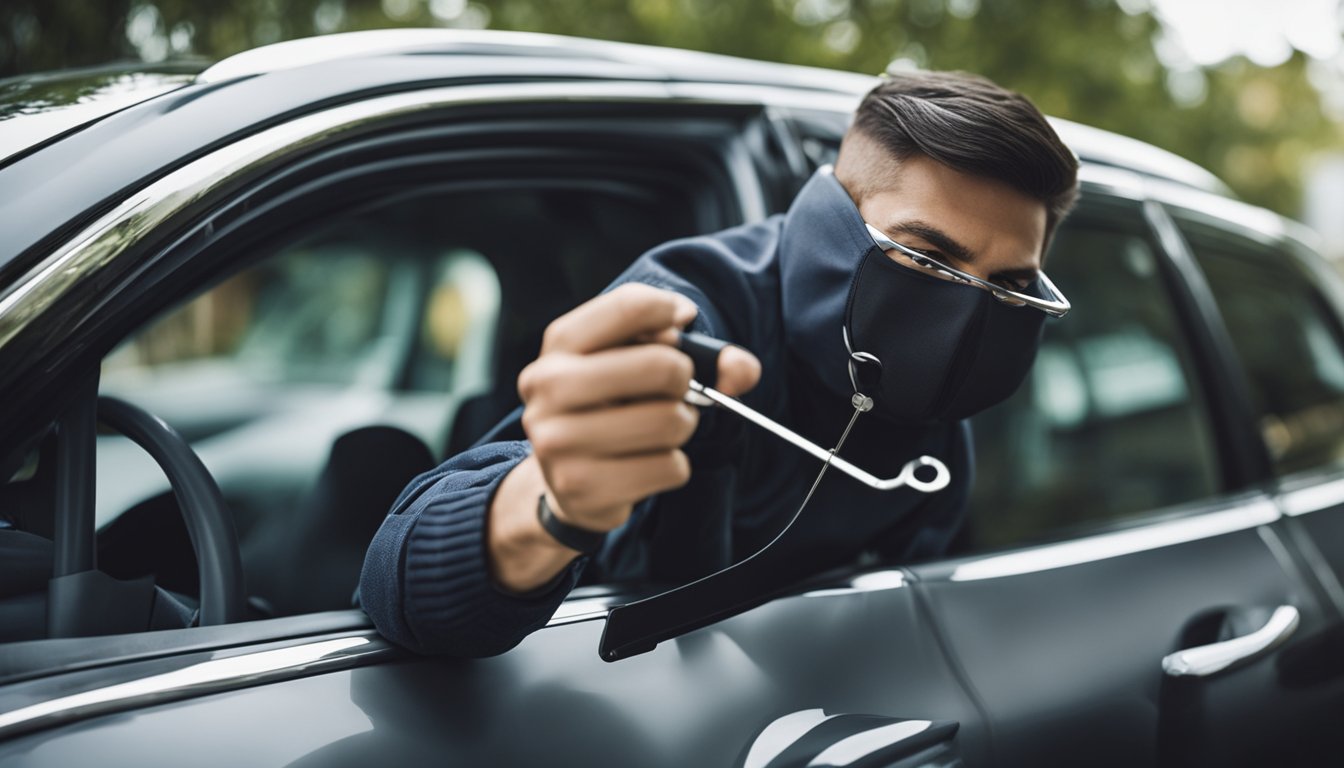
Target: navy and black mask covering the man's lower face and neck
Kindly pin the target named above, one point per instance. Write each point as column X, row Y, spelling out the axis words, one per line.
column 947, row 350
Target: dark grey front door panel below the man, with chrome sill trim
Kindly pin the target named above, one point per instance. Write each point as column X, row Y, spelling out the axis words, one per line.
column 740, row 693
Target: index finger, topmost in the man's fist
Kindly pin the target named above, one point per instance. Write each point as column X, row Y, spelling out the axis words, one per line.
column 618, row 318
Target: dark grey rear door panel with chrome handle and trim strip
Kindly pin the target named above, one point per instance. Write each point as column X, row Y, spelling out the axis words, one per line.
column 1099, row 615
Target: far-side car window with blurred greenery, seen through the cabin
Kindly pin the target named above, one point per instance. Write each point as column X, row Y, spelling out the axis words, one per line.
column 349, row 309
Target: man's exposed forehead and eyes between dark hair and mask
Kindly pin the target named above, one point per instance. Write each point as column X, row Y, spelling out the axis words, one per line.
column 978, row 225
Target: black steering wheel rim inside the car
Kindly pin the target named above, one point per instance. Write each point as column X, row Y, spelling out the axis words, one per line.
column 209, row 523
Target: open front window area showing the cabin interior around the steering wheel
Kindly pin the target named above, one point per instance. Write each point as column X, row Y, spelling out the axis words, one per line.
column 286, row 377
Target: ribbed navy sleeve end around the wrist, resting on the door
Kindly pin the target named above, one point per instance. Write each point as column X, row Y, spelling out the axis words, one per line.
column 427, row 582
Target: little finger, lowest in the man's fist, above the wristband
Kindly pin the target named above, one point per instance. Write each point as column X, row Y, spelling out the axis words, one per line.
column 591, row 489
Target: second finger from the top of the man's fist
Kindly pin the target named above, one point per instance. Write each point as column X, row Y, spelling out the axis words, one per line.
column 557, row 384
